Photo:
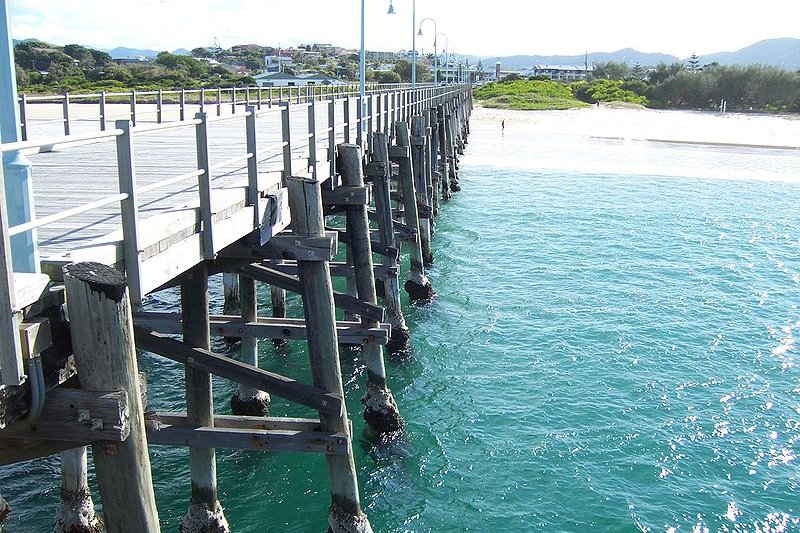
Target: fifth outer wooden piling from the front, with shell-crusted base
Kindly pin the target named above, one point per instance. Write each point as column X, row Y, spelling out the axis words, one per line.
column 417, row 285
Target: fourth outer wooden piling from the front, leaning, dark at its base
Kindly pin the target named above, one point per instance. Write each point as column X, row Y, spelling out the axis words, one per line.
column 383, row 208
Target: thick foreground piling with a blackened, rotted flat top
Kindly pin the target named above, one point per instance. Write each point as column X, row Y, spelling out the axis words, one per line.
column 105, row 357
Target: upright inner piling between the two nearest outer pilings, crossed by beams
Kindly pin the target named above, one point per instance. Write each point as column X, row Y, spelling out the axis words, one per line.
column 205, row 512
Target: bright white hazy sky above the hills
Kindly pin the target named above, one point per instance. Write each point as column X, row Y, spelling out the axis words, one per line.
column 498, row 27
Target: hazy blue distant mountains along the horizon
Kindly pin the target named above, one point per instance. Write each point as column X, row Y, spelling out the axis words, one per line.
column 784, row 52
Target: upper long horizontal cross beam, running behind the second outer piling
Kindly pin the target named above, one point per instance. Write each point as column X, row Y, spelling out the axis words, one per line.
column 264, row 328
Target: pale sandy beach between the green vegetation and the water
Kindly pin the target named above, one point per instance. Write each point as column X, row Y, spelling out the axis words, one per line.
column 781, row 131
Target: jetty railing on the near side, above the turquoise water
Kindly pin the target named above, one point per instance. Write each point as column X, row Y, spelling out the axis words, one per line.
column 295, row 154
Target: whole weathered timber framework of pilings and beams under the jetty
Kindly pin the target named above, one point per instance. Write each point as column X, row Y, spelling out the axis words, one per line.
column 387, row 190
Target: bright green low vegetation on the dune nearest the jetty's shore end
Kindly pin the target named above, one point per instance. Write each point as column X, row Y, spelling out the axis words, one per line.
column 527, row 95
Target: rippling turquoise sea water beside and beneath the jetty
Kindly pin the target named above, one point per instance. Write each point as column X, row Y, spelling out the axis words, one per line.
column 610, row 351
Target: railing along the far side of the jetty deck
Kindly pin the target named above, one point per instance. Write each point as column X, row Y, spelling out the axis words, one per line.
column 171, row 105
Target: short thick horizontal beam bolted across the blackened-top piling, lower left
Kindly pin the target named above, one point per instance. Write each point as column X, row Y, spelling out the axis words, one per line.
column 78, row 416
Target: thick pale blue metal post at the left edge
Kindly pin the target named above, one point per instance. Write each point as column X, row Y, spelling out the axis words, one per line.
column 16, row 167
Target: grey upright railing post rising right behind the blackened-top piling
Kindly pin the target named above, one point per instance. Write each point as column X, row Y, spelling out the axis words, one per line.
column 129, row 210
